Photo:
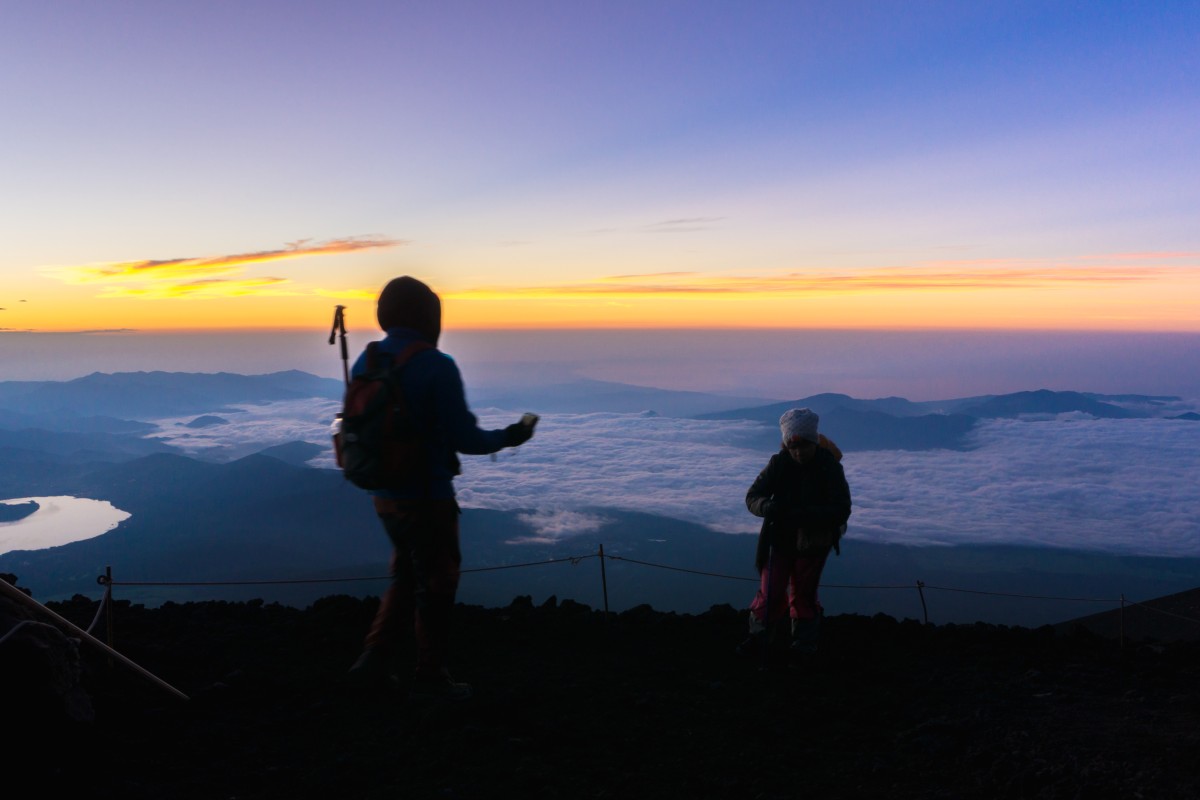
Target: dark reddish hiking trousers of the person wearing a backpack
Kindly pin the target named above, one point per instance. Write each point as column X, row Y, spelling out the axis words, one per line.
column 425, row 564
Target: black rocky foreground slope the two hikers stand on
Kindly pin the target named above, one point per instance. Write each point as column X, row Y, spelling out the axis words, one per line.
column 646, row 705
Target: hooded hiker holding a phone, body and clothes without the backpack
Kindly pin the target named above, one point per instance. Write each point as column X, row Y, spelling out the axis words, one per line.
column 421, row 515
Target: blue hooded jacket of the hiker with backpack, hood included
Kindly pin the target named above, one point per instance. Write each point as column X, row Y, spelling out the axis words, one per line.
column 411, row 312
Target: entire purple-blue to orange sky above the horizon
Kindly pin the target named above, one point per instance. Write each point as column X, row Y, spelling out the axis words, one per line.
column 602, row 165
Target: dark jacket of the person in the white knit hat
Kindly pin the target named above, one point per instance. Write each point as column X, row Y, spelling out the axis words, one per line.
column 805, row 507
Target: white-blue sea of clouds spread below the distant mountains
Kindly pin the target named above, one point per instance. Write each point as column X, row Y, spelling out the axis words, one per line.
column 1120, row 486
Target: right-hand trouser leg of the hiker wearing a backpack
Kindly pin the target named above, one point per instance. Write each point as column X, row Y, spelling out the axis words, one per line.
column 436, row 570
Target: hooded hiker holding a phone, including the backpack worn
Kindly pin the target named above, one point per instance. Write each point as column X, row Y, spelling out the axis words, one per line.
column 407, row 458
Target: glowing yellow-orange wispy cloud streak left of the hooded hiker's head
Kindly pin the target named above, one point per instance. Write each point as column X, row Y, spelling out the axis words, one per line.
column 209, row 275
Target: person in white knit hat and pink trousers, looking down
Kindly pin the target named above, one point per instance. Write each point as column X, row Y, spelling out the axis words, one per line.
column 805, row 502
